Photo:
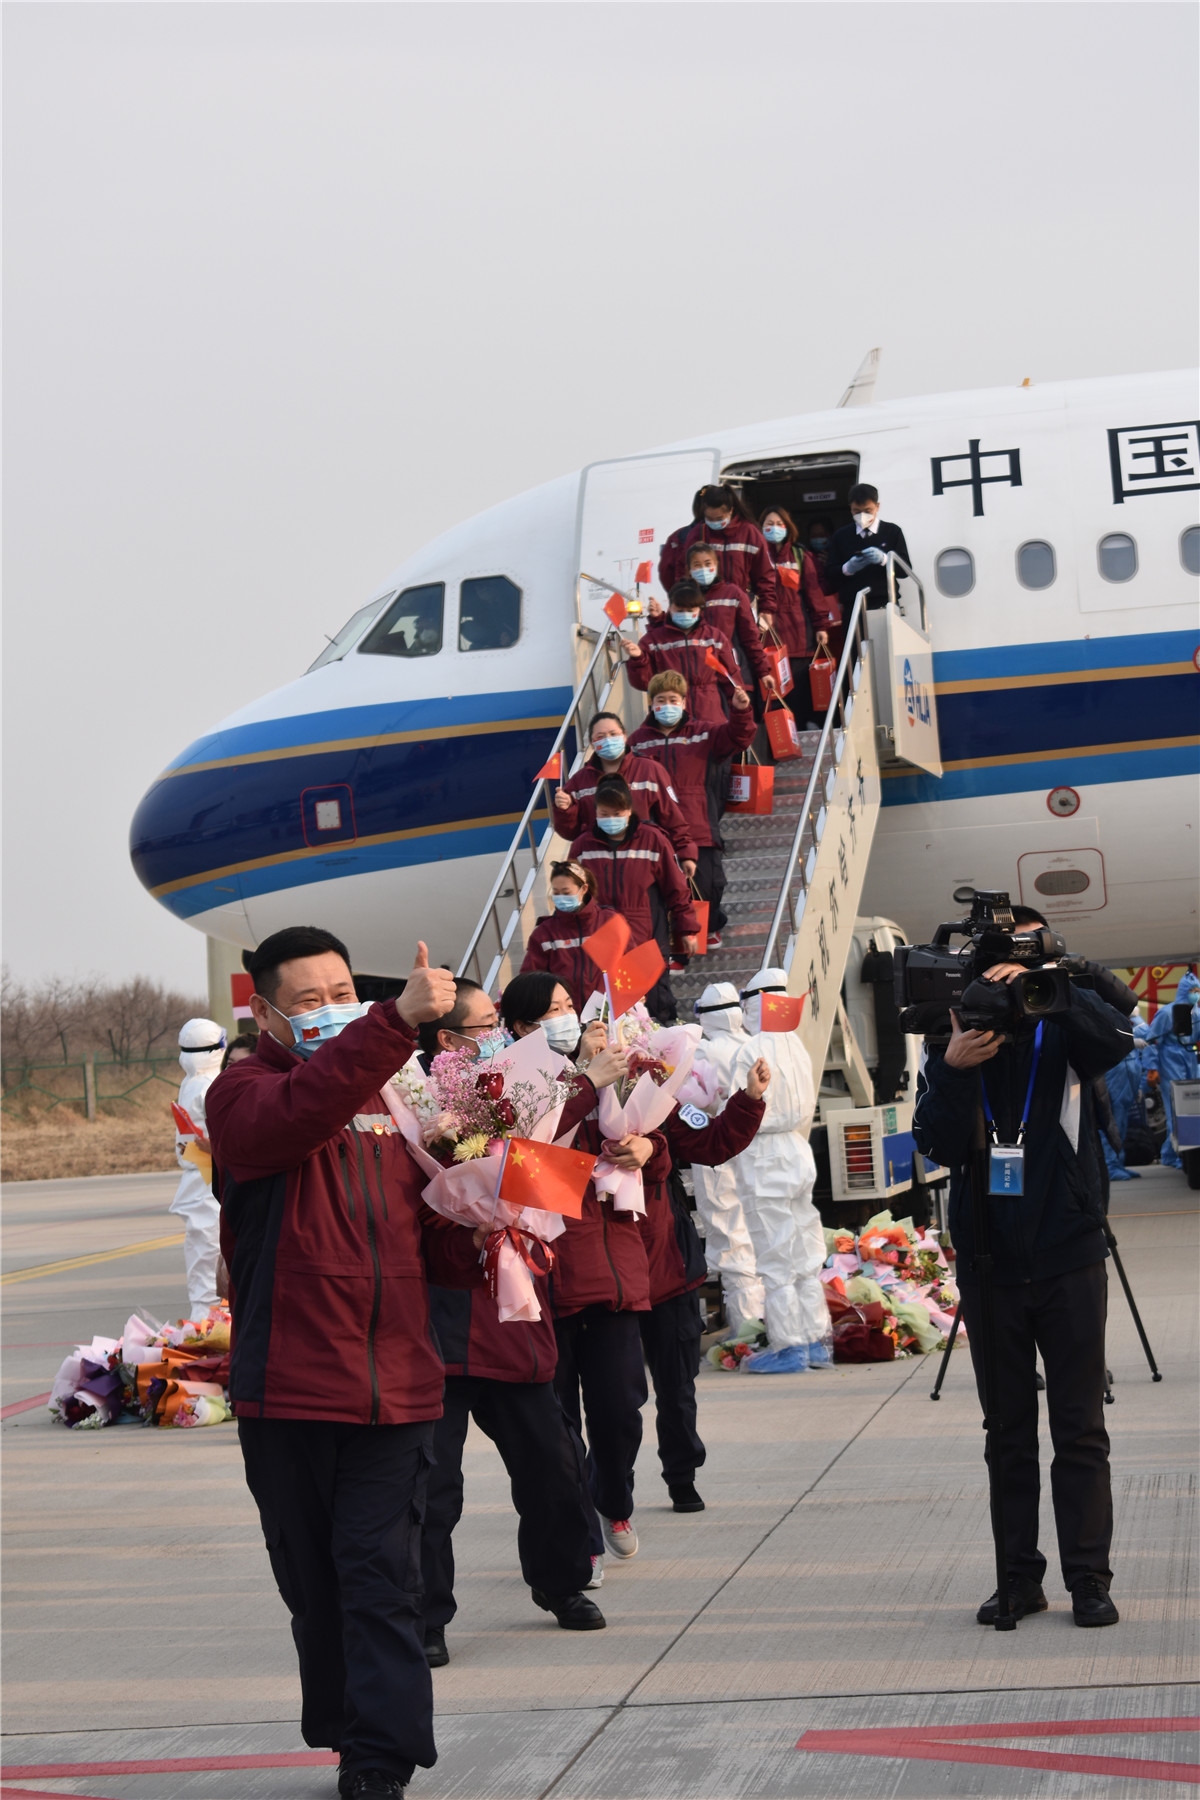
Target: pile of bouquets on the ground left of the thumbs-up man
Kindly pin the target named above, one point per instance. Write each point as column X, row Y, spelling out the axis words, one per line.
column 154, row 1374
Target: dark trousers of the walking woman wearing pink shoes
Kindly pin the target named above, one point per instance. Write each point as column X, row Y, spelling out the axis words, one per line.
column 600, row 1356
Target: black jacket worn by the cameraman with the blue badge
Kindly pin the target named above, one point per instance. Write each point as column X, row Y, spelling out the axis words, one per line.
column 1057, row 1225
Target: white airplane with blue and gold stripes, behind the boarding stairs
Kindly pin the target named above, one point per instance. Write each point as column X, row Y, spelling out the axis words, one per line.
column 1055, row 532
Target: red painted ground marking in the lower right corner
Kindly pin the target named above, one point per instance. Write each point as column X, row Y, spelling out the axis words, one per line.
column 936, row 1743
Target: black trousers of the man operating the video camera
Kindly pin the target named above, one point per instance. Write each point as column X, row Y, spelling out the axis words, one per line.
column 1064, row 1318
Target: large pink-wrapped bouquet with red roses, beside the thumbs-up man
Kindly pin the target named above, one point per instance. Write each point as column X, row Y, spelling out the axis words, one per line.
column 456, row 1122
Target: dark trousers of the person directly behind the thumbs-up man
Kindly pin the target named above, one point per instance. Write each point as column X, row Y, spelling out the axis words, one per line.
column 544, row 1459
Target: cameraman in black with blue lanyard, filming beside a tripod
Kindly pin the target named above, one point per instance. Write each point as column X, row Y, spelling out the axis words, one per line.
column 1048, row 1246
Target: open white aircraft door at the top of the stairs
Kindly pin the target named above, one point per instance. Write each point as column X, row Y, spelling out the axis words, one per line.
column 627, row 508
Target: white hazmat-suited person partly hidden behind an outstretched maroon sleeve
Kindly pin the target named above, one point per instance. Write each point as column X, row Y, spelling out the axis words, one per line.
column 728, row 1248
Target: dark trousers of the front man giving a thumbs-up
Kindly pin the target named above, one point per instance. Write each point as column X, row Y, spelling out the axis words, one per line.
column 341, row 1509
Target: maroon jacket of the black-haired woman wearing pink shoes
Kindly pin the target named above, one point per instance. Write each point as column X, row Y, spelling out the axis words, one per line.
column 600, row 1261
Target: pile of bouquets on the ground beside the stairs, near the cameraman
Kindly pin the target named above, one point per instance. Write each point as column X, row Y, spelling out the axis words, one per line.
column 890, row 1290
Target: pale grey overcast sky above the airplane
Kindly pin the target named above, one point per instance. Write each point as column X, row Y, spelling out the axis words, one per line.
column 291, row 289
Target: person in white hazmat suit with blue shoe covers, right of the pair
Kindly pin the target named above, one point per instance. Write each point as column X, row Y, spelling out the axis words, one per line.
column 776, row 1180
